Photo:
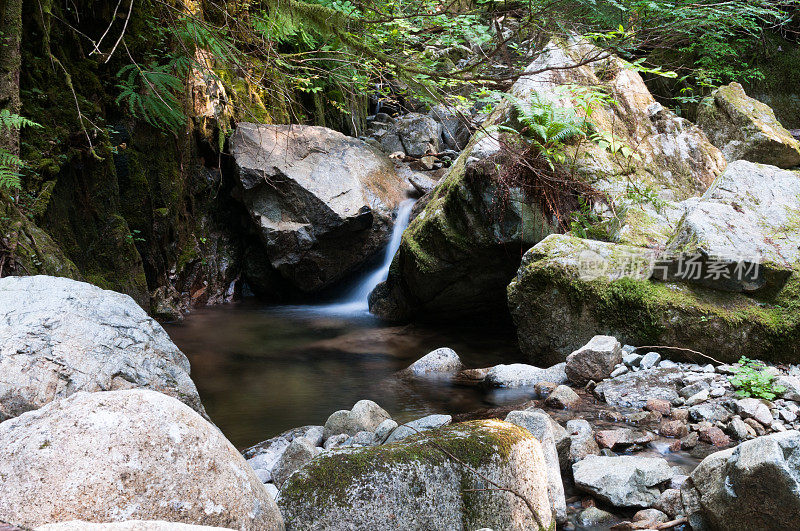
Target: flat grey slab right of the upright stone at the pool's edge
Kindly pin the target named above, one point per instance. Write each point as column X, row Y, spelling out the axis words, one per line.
column 636, row 388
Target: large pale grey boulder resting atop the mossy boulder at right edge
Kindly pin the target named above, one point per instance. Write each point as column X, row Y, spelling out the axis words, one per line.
column 748, row 218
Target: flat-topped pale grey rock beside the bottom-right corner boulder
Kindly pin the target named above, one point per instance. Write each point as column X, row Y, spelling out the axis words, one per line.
column 624, row 481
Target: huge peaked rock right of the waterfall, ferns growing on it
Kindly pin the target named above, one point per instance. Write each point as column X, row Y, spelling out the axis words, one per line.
column 459, row 251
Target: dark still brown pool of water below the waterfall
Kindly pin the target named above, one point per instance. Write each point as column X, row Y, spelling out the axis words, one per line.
column 261, row 370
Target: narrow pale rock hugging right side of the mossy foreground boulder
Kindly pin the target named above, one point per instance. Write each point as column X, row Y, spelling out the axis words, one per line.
column 540, row 425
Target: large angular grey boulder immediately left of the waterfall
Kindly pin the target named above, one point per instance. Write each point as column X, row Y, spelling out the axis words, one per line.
column 321, row 202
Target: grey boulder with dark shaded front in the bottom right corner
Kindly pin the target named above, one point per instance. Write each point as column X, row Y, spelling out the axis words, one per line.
column 756, row 485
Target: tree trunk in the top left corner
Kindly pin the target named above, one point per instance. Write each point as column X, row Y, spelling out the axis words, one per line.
column 10, row 59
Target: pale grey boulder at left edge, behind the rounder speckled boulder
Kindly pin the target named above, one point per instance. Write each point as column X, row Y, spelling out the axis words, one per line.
column 60, row 336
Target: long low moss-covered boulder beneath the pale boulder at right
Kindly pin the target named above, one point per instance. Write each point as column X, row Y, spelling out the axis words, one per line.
column 569, row 290
